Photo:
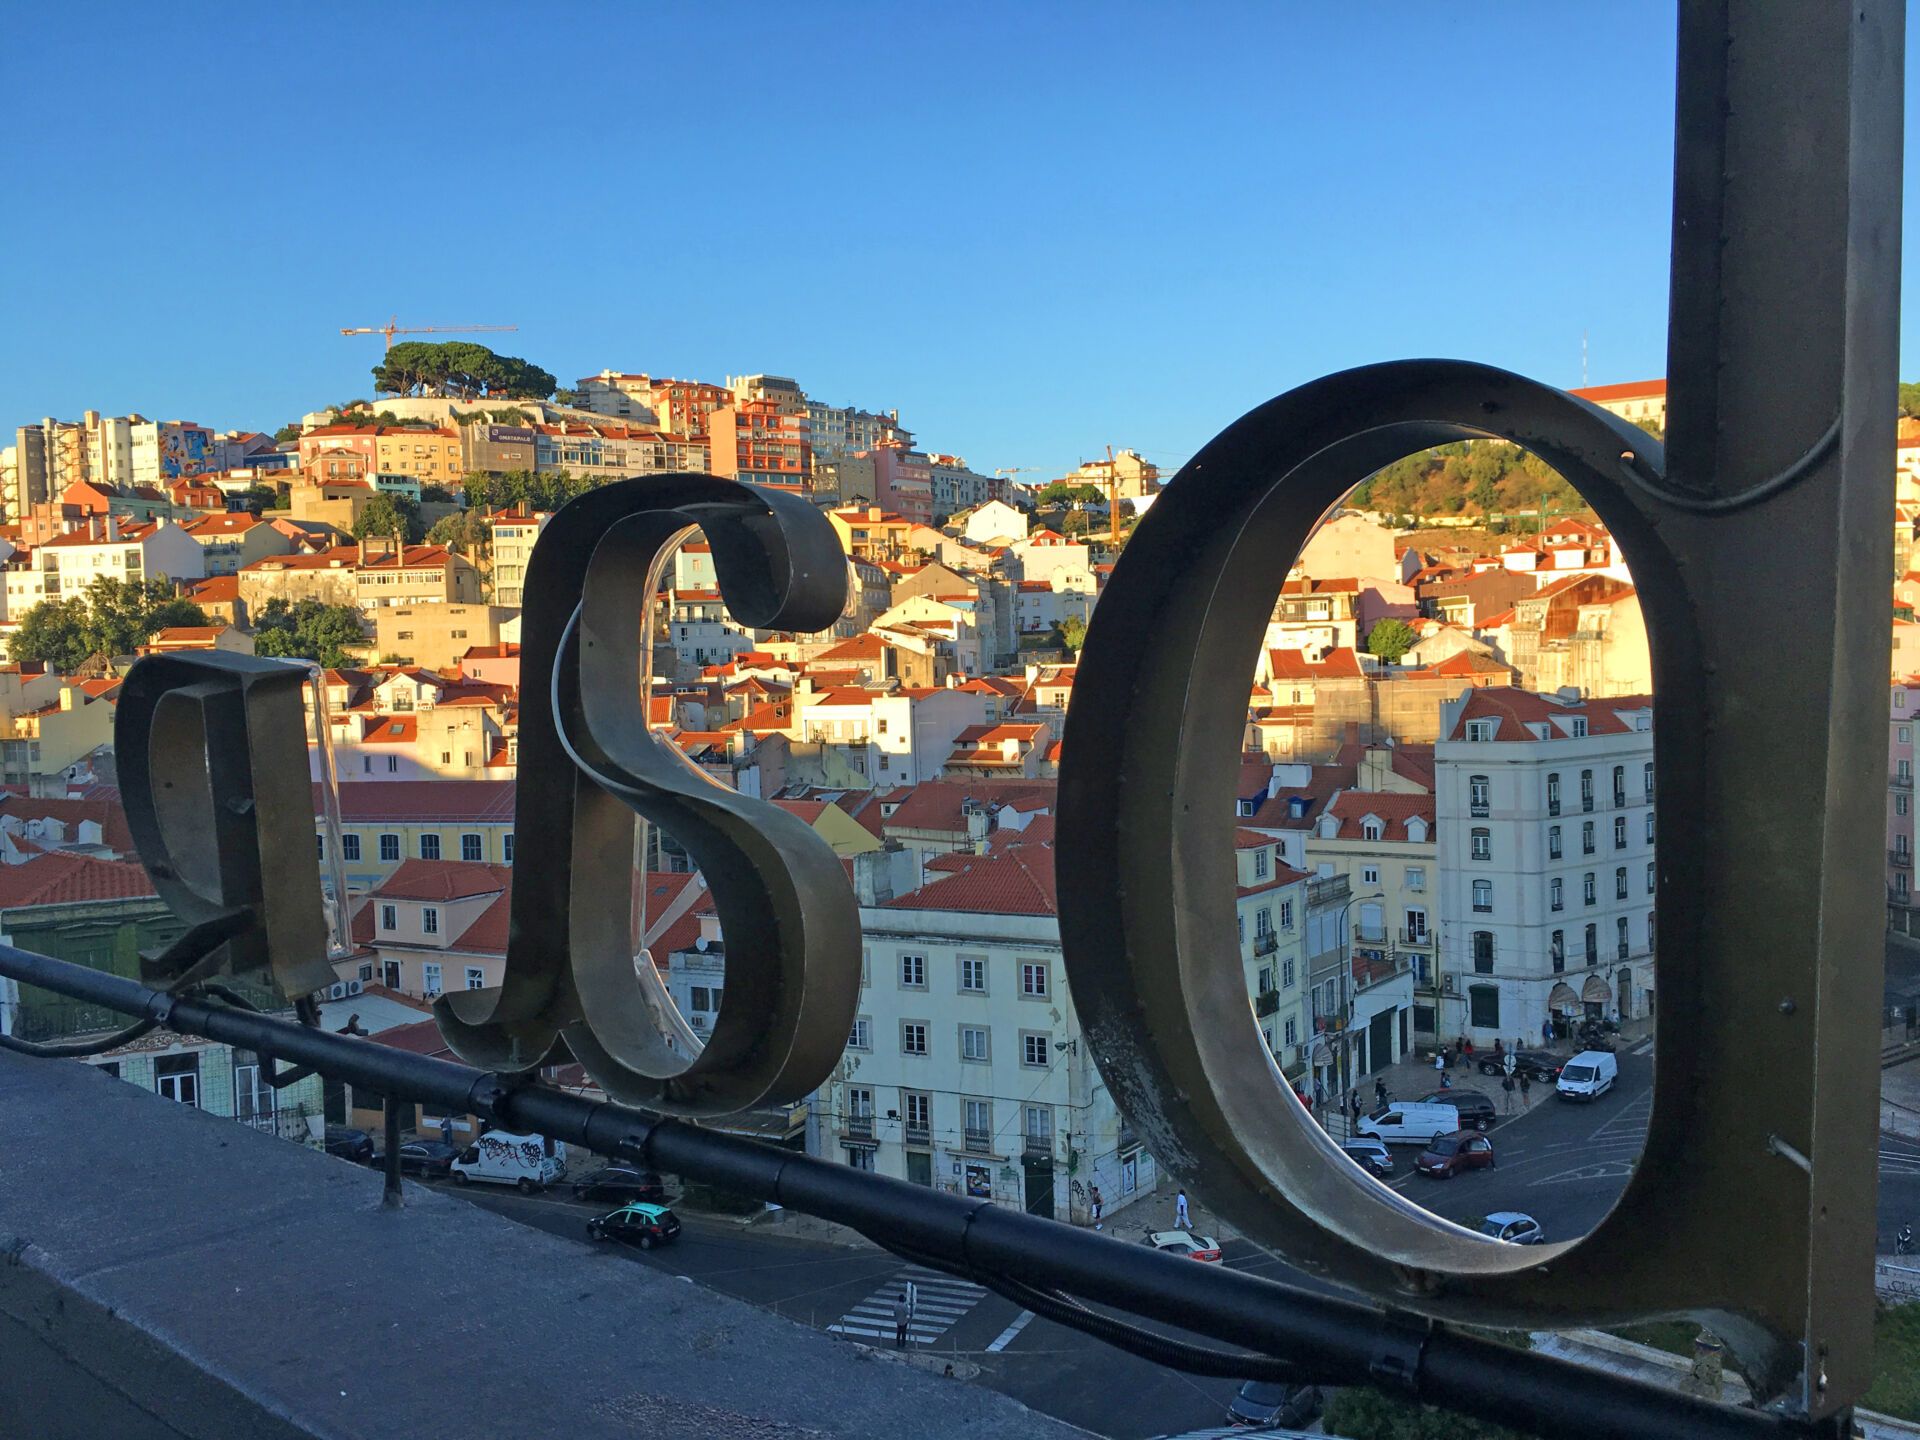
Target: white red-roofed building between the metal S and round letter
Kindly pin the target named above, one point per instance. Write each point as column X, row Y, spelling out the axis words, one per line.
column 967, row 1068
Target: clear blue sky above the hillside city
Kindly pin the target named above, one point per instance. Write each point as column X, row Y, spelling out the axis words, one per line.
column 1034, row 229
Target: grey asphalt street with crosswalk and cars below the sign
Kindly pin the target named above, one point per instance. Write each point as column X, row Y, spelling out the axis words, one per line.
column 1560, row 1163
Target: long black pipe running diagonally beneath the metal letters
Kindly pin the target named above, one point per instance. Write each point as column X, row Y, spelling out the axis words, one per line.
column 1339, row 1341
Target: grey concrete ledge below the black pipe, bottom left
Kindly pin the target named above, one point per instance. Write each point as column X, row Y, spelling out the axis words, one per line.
column 170, row 1274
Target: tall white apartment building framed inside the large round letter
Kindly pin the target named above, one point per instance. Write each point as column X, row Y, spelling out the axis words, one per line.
column 1547, row 861
